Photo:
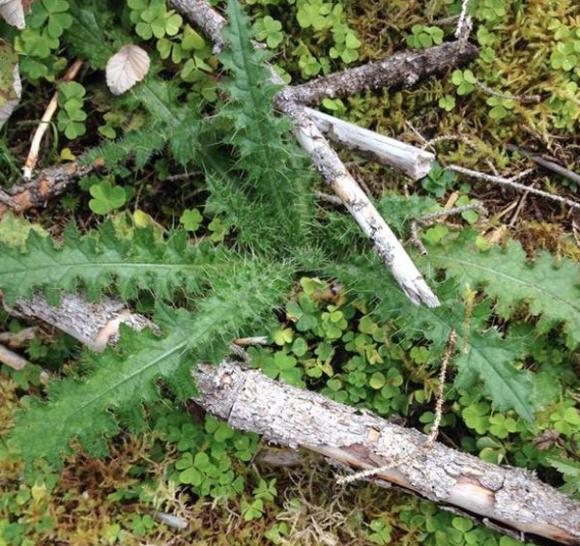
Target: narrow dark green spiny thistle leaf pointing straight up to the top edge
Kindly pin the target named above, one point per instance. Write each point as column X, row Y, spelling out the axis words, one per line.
column 276, row 185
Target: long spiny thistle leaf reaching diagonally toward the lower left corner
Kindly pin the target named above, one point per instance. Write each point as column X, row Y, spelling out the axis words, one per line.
column 119, row 382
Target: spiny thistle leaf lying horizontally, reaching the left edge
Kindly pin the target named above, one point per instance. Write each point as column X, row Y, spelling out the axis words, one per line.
column 96, row 263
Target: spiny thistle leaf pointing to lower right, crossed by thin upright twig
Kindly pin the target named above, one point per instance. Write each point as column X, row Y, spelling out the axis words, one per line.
column 486, row 358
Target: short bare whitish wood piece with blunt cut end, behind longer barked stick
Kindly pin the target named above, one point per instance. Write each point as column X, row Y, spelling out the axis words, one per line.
column 414, row 162
